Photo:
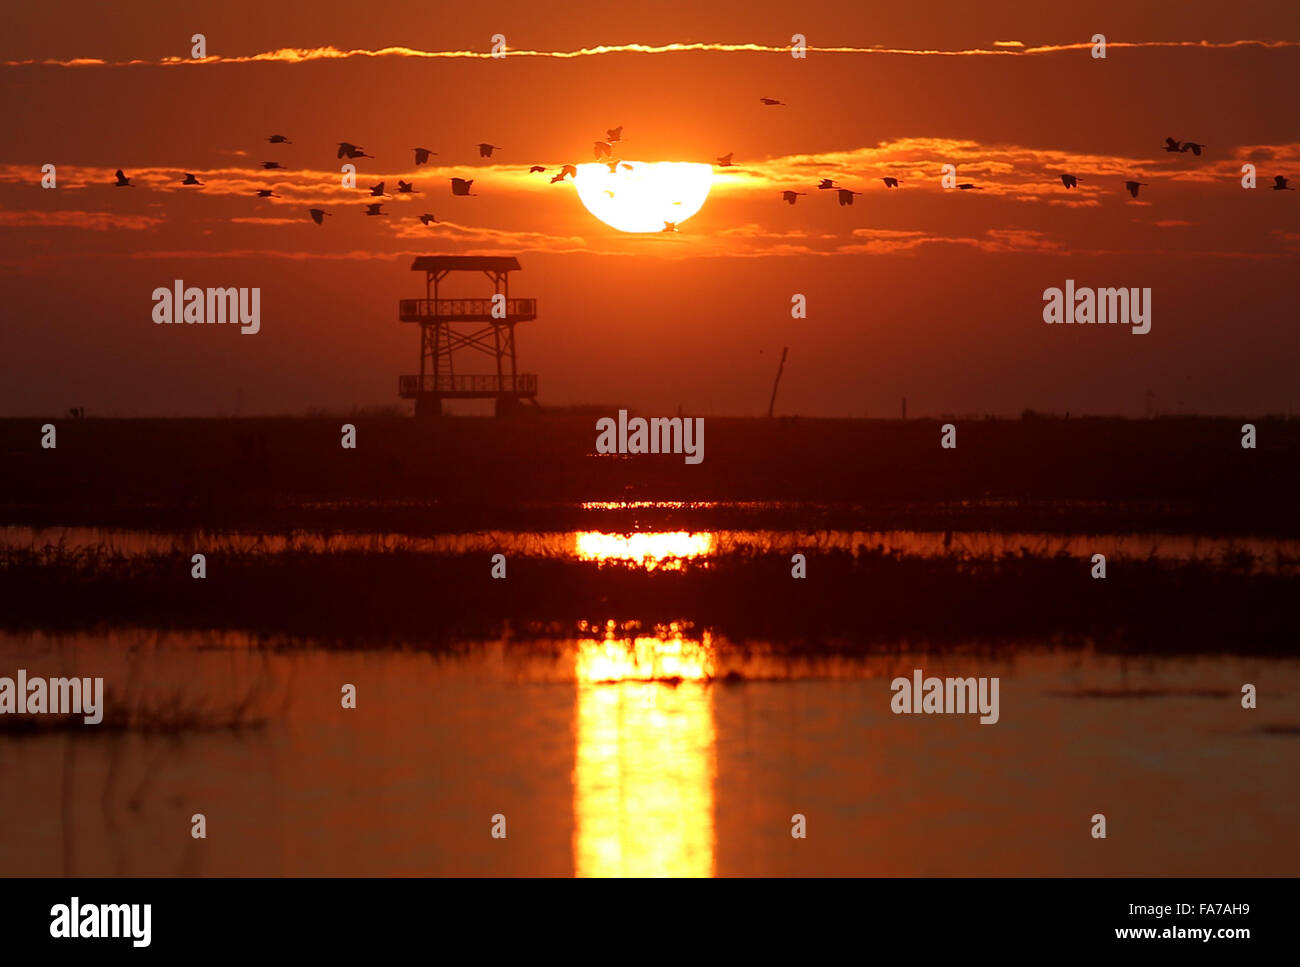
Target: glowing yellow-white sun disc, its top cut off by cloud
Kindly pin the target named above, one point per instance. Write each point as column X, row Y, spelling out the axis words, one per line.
column 647, row 197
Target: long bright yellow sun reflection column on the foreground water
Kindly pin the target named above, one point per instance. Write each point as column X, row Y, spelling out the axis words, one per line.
column 645, row 764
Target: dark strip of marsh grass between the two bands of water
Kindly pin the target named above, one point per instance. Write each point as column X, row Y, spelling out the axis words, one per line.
column 866, row 595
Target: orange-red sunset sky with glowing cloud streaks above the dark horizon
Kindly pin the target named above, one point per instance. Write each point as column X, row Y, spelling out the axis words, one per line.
column 921, row 292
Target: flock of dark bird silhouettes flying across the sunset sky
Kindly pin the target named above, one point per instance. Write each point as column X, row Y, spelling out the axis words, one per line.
column 604, row 151
